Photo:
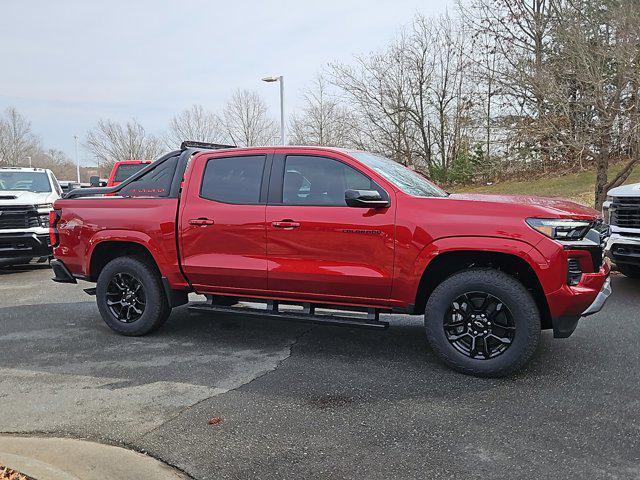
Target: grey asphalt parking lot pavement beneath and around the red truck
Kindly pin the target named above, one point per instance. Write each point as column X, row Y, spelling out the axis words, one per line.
column 301, row 401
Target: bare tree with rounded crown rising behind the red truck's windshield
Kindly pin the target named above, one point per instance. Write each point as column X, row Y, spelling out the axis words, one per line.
column 414, row 99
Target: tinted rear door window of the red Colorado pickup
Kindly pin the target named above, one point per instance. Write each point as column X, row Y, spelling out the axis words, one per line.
column 233, row 179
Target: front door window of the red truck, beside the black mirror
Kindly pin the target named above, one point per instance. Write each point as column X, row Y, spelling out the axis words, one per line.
column 320, row 181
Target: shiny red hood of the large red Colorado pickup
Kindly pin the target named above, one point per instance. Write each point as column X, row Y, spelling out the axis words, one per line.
column 539, row 206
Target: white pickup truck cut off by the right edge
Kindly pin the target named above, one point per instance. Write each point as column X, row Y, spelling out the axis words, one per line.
column 622, row 212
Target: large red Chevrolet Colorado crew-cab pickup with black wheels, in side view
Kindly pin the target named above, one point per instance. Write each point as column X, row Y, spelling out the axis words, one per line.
column 317, row 234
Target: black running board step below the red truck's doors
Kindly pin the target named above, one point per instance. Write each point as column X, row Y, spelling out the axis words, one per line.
column 370, row 322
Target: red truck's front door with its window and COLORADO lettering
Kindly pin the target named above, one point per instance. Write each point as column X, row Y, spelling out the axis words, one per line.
column 317, row 246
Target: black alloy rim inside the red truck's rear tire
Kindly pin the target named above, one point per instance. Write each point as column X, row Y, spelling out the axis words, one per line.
column 125, row 297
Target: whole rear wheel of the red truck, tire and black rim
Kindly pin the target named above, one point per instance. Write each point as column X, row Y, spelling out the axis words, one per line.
column 130, row 297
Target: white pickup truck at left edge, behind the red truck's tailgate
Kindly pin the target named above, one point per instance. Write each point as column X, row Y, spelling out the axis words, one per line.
column 26, row 198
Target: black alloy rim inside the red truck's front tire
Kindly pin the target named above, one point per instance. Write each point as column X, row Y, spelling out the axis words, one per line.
column 479, row 325
